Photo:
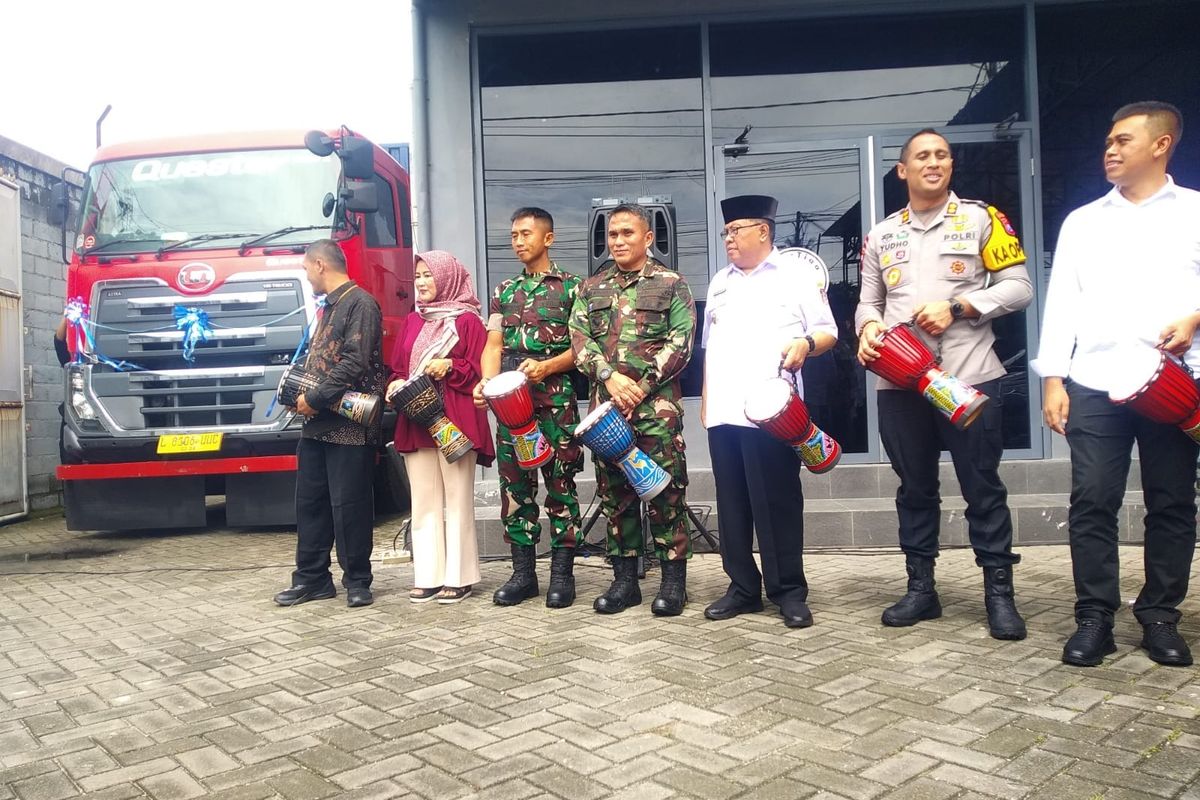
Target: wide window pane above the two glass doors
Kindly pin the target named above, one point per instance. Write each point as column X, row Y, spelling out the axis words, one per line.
column 826, row 79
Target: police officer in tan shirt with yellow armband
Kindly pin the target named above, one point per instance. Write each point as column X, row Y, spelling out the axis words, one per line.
column 951, row 267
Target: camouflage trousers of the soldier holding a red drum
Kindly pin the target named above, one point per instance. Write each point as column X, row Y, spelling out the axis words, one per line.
column 519, row 488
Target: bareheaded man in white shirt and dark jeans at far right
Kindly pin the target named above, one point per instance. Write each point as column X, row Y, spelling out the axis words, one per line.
column 1126, row 278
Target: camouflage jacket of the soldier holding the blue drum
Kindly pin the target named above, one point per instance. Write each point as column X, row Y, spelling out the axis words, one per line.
column 640, row 324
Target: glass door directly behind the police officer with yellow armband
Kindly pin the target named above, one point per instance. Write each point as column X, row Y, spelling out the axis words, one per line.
column 993, row 165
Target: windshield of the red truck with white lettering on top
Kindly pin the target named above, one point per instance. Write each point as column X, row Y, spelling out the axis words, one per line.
column 142, row 204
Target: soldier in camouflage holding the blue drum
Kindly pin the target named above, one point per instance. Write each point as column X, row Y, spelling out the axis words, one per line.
column 632, row 330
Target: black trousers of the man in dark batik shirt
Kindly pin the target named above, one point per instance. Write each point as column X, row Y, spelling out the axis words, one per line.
column 335, row 508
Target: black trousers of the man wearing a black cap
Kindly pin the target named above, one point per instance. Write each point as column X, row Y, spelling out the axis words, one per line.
column 759, row 490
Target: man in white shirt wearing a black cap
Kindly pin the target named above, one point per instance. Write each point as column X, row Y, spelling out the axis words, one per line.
column 763, row 310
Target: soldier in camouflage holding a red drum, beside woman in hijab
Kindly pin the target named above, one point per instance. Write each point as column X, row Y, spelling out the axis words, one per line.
column 527, row 332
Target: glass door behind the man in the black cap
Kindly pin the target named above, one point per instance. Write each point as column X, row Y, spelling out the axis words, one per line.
column 826, row 202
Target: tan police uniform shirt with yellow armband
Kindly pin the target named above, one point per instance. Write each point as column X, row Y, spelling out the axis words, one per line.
column 908, row 263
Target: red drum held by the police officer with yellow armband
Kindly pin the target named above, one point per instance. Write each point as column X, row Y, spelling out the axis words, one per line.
column 905, row 362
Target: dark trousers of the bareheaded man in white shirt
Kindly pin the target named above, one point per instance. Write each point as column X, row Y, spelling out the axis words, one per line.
column 1101, row 437
